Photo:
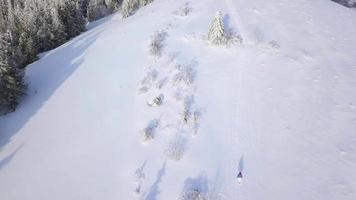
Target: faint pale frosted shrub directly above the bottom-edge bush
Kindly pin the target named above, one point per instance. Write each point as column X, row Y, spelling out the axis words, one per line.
column 176, row 148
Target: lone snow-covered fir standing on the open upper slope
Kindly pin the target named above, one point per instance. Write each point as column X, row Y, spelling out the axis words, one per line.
column 216, row 33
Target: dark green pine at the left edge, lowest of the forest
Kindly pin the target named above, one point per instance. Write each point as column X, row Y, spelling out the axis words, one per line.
column 12, row 86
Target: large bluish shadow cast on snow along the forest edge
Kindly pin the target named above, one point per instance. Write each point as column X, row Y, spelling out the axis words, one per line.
column 47, row 74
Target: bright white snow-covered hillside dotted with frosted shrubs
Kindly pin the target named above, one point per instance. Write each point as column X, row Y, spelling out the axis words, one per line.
column 281, row 108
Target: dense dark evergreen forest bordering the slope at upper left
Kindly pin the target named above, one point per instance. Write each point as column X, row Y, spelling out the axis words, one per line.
column 28, row 27
